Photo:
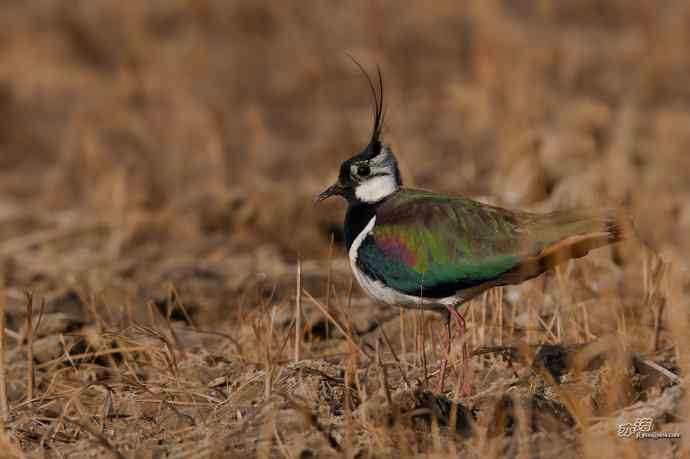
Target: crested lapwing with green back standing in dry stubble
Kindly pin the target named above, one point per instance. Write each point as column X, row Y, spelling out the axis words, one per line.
column 420, row 249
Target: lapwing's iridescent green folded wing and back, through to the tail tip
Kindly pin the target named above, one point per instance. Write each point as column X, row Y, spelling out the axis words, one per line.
column 437, row 245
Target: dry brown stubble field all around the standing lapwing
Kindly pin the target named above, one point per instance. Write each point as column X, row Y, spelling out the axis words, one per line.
column 158, row 165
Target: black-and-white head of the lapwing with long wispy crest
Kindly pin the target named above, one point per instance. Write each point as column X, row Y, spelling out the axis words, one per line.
column 372, row 174
